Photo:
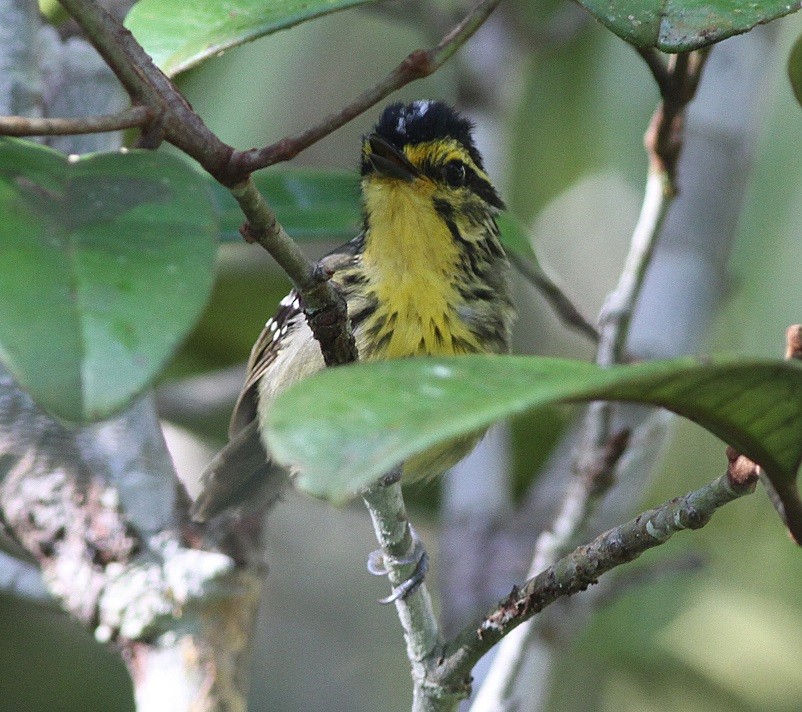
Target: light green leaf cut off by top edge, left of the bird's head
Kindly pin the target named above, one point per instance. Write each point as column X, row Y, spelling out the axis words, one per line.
column 180, row 34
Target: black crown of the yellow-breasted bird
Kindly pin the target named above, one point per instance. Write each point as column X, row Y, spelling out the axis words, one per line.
column 423, row 120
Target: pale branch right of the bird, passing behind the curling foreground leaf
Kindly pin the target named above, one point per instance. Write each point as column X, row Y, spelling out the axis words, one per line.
column 599, row 445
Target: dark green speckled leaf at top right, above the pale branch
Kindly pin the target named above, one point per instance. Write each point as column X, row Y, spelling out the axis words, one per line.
column 684, row 25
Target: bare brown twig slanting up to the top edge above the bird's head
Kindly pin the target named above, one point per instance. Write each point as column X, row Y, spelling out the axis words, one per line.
column 417, row 65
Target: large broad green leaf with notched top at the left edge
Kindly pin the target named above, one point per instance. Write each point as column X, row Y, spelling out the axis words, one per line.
column 105, row 264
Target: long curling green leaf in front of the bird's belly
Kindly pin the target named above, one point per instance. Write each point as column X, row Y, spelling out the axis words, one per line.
column 345, row 427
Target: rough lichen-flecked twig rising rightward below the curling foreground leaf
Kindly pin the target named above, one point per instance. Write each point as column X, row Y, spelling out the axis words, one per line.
column 584, row 566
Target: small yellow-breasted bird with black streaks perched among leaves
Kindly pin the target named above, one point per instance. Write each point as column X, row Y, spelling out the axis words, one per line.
column 426, row 276
